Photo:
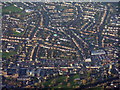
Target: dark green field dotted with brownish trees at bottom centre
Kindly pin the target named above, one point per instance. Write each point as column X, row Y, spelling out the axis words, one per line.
column 62, row 82
